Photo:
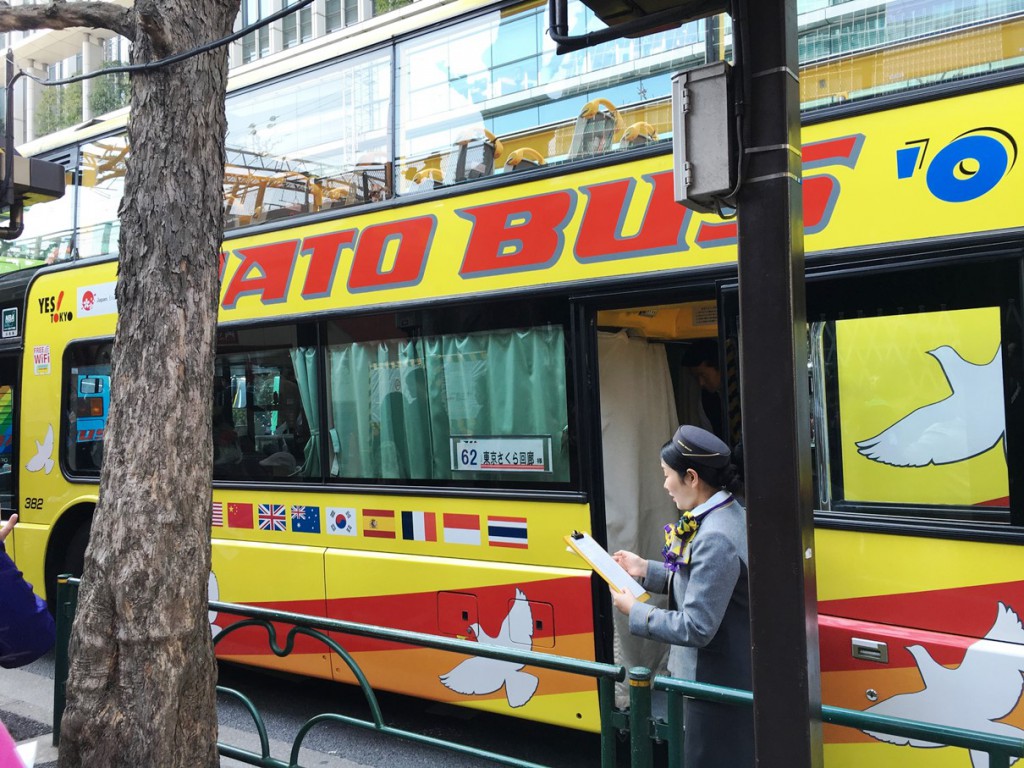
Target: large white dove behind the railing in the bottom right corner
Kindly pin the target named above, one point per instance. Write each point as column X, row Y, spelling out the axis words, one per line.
column 983, row 691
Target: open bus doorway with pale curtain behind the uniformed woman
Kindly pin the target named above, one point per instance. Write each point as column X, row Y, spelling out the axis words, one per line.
column 660, row 367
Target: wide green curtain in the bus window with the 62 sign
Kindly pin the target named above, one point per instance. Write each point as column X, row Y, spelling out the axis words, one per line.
column 396, row 405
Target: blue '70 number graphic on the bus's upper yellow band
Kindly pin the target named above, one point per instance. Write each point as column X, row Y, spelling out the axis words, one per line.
column 963, row 169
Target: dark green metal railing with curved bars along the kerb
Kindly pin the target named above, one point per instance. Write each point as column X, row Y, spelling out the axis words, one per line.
column 637, row 721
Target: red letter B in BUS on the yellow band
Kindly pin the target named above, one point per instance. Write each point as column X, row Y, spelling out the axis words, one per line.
column 518, row 235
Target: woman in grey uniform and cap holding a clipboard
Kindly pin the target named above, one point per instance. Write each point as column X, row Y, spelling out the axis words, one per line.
column 704, row 572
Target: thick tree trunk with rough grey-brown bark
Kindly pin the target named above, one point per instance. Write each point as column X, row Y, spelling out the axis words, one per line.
column 143, row 674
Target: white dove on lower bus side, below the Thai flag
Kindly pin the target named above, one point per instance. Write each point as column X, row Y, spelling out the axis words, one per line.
column 478, row 676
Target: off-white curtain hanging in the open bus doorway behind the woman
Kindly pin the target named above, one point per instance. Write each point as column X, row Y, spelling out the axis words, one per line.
column 638, row 415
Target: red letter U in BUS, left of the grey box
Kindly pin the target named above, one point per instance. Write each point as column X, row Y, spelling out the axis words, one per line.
column 662, row 231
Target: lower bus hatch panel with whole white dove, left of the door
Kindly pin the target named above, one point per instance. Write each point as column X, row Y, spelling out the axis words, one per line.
column 518, row 607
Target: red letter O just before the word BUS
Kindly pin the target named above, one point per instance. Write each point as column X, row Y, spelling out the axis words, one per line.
column 405, row 243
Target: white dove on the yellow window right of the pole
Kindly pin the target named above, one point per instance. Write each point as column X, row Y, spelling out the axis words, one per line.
column 966, row 424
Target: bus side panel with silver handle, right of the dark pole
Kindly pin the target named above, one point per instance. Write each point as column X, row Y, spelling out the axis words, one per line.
column 925, row 629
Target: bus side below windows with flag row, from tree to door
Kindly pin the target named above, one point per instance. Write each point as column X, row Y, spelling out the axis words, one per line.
column 497, row 573
